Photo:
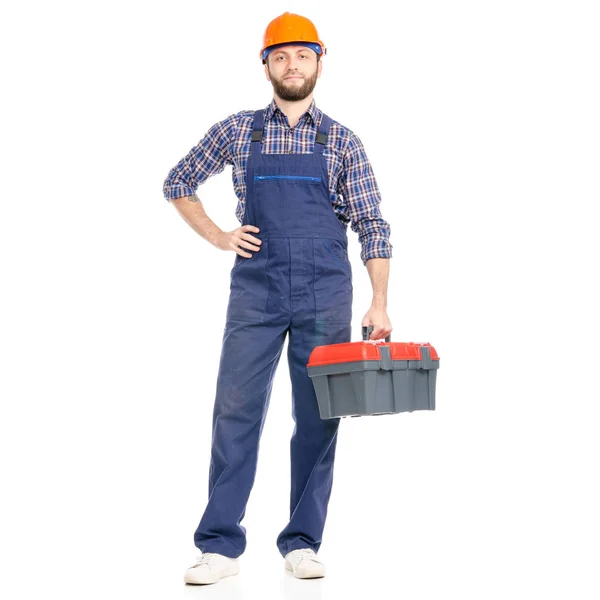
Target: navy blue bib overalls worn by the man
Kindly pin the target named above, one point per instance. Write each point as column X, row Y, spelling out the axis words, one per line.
column 298, row 283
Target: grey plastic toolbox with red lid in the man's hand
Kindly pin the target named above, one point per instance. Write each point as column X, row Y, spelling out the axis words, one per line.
column 373, row 377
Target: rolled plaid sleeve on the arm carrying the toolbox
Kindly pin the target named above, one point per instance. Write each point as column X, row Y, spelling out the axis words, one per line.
column 361, row 195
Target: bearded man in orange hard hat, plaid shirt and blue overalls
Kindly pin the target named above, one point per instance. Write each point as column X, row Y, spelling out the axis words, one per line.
column 300, row 179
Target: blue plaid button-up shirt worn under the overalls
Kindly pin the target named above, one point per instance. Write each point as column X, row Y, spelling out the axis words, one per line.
column 352, row 187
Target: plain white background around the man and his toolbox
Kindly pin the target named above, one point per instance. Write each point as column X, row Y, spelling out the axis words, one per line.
column 481, row 122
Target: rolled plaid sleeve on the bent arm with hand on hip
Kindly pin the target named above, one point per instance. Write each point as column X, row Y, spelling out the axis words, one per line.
column 209, row 157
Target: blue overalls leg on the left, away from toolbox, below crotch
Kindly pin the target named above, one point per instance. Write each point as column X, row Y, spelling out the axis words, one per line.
column 249, row 358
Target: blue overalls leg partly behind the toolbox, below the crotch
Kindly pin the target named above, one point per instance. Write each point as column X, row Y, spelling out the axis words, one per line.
column 313, row 443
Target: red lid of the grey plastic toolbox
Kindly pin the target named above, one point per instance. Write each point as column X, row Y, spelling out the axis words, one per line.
column 360, row 351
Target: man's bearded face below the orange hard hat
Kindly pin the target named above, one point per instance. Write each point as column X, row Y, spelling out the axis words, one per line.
column 293, row 72
